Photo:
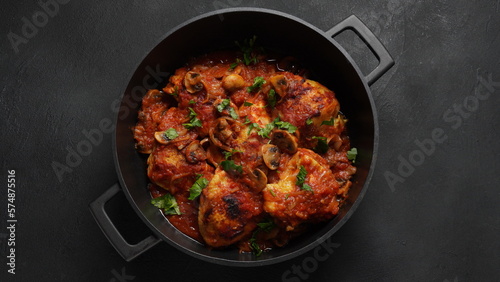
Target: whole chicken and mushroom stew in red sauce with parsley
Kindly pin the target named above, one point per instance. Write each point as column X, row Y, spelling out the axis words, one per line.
column 244, row 150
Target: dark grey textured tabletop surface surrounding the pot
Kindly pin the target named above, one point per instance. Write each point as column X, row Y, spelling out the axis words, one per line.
column 441, row 224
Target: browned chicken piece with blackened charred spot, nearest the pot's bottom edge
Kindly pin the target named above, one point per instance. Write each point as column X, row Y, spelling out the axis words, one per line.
column 229, row 210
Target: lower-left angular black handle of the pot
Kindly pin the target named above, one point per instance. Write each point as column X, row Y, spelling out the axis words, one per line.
column 127, row 251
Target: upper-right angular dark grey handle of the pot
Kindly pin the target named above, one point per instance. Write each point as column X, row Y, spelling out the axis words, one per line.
column 355, row 24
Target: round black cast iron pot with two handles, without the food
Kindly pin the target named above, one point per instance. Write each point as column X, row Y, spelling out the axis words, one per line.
column 282, row 33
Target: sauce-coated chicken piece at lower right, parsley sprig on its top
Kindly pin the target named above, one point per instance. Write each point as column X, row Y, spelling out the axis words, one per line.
column 314, row 200
